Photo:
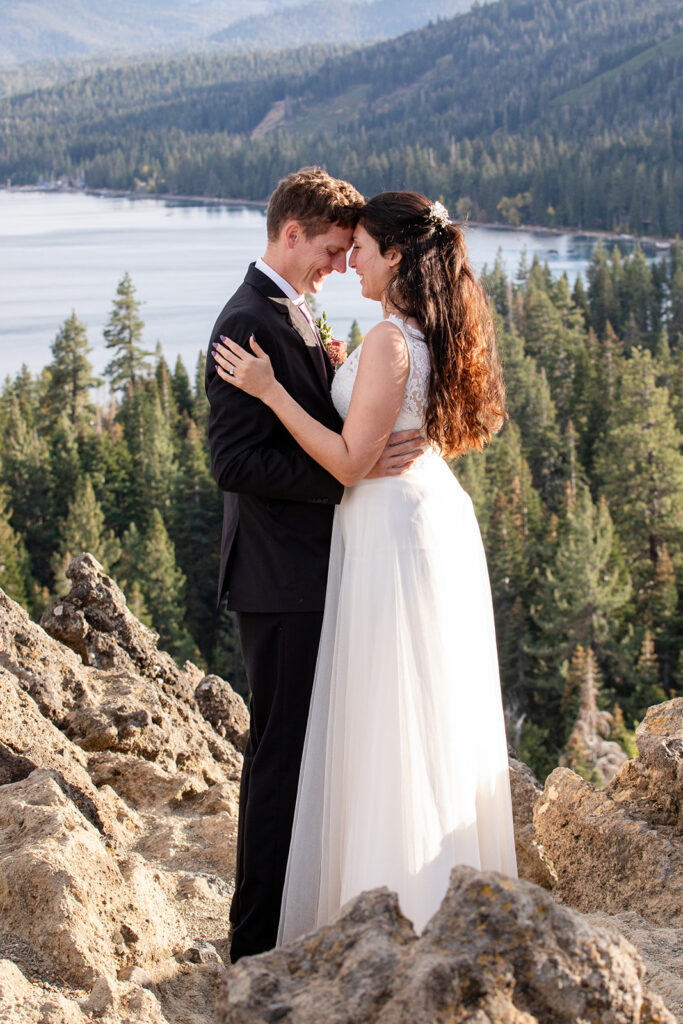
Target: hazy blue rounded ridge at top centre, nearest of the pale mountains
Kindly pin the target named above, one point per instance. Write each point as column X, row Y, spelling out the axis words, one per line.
column 332, row 22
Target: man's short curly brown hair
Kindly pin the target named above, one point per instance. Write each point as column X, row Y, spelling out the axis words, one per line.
column 315, row 199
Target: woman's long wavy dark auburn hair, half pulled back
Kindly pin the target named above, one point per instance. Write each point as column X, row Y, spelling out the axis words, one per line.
column 436, row 286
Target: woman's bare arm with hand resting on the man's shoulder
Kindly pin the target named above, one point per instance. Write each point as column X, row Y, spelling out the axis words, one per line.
column 378, row 394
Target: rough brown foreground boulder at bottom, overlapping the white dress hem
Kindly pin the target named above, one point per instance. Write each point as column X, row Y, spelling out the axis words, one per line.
column 498, row 951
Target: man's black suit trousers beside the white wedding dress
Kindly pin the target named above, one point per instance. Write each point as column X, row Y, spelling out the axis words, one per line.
column 280, row 652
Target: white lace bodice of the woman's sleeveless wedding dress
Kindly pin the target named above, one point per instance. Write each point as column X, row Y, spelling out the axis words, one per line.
column 413, row 410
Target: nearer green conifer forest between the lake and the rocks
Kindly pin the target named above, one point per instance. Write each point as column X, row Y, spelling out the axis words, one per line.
column 580, row 498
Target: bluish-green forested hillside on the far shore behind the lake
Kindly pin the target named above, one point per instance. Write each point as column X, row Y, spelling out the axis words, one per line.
column 521, row 112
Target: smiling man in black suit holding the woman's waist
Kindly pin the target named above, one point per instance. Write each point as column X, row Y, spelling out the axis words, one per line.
column 279, row 506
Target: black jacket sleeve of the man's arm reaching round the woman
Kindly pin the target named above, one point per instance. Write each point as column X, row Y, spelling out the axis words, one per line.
column 242, row 432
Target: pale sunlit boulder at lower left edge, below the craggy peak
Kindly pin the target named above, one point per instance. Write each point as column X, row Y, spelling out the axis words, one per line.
column 67, row 894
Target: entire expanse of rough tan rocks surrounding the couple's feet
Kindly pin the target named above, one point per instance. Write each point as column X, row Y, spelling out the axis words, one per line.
column 119, row 781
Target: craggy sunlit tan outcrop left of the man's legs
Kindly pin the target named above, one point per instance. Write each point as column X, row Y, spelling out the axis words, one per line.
column 118, row 817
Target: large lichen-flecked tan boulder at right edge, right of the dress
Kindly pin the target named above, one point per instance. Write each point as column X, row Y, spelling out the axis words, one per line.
column 621, row 849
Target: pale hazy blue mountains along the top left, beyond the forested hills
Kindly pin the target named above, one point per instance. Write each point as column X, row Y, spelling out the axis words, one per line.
column 38, row 30
